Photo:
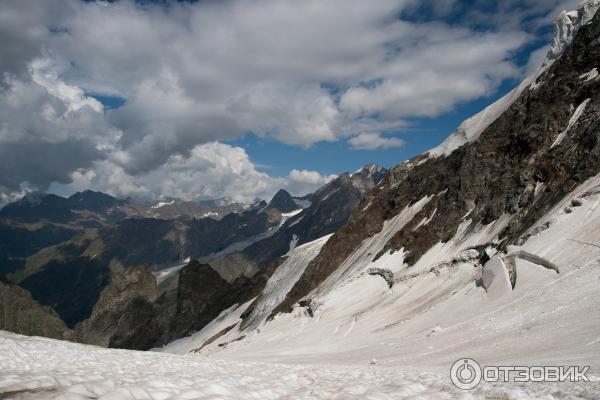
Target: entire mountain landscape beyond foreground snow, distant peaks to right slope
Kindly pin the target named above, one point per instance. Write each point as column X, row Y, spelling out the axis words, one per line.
column 487, row 246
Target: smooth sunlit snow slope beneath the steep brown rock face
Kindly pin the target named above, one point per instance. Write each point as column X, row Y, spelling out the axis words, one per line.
column 436, row 313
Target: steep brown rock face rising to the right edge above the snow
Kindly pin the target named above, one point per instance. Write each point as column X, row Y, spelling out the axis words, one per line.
column 494, row 176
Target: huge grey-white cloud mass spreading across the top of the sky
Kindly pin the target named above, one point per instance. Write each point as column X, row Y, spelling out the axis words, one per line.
column 195, row 73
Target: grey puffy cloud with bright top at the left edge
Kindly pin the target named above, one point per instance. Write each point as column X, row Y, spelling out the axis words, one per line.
column 42, row 140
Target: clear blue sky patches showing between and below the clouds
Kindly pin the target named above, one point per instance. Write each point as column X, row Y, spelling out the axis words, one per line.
column 279, row 159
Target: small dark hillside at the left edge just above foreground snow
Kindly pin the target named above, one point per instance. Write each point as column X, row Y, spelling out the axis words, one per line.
column 19, row 313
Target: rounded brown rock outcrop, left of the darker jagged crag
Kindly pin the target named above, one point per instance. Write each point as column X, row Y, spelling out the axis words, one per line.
column 123, row 309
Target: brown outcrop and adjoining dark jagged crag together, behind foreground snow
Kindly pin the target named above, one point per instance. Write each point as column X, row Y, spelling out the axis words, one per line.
column 131, row 314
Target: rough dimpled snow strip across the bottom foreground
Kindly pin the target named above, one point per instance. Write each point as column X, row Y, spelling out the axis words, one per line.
column 39, row 368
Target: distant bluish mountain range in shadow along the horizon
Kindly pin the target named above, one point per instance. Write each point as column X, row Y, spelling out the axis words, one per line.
column 76, row 245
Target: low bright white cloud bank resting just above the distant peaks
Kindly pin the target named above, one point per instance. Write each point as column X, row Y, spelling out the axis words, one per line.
column 210, row 171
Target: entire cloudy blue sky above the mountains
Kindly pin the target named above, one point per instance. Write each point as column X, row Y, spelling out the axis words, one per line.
column 239, row 98
